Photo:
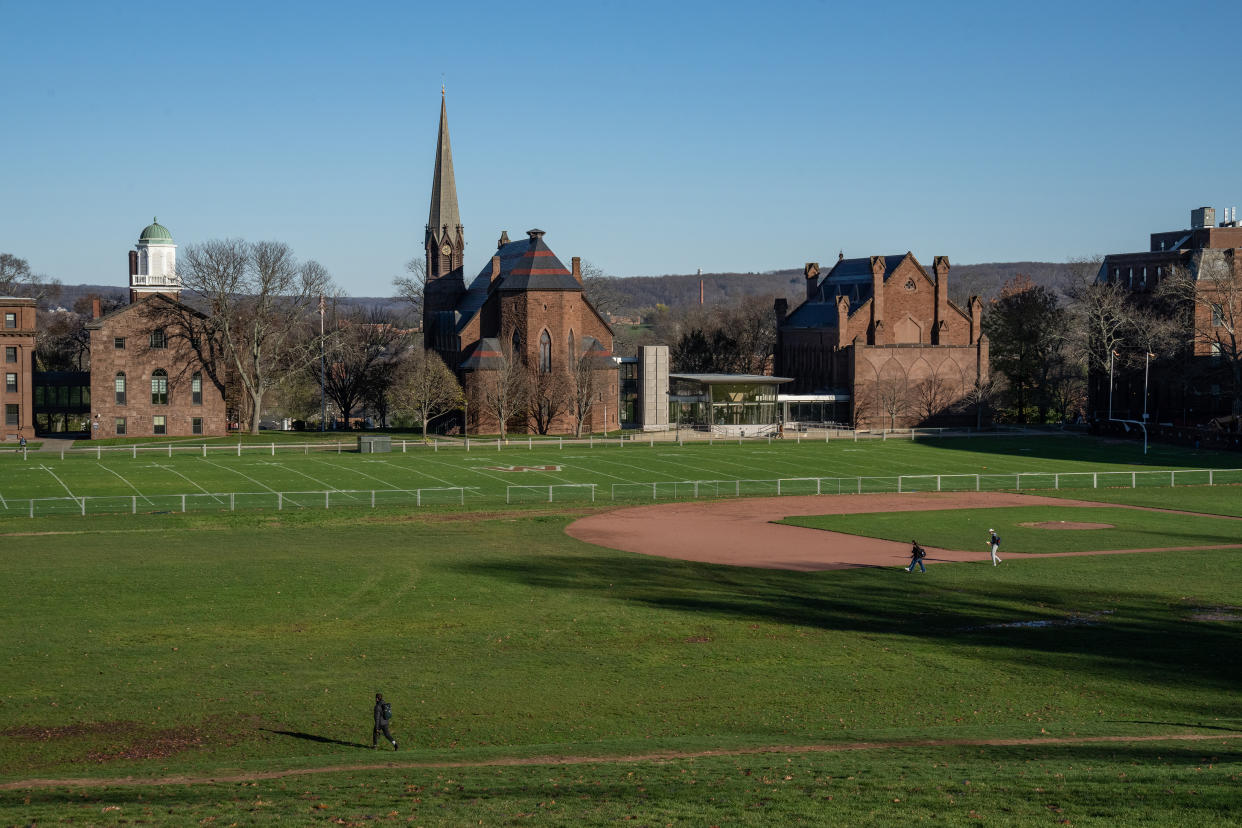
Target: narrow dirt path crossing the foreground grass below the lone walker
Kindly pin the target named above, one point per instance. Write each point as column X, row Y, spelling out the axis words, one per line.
column 656, row 757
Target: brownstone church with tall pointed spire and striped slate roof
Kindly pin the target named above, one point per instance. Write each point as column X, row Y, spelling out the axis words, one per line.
column 525, row 302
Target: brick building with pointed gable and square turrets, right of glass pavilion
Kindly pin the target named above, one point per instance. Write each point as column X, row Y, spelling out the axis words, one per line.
column 879, row 343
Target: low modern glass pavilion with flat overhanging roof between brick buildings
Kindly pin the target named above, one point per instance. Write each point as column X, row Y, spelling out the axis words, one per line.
column 738, row 404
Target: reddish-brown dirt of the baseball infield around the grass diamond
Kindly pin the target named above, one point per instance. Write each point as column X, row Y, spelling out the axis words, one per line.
column 742, row 533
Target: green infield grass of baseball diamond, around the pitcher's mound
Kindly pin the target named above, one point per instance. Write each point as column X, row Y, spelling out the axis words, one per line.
column 968, row 529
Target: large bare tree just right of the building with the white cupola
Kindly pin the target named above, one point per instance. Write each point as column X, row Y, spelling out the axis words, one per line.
column 259, row 299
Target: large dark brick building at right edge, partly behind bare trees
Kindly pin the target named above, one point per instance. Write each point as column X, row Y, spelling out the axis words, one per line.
column 1195, row 387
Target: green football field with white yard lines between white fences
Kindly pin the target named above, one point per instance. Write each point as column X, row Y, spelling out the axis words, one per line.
column 146, row 482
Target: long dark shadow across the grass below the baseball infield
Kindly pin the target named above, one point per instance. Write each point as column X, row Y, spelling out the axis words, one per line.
column 1138, row 636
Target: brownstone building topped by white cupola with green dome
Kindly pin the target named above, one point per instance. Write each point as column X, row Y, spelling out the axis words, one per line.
column 147, row 377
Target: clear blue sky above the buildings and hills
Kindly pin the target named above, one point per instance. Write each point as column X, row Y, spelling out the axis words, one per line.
column 646, row 138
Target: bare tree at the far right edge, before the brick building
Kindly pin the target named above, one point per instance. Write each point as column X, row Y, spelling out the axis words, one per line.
column 1208, row 301
